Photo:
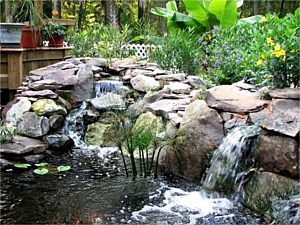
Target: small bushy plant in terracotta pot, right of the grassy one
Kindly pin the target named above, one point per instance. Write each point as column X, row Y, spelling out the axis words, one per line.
column 55, row 33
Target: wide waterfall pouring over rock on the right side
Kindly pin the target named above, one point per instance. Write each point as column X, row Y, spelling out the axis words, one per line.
column 233, row 153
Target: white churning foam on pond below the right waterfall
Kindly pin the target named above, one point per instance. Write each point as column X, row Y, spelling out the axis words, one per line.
column 181, row 204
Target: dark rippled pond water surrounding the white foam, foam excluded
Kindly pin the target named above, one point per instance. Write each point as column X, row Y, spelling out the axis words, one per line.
column 91, row 191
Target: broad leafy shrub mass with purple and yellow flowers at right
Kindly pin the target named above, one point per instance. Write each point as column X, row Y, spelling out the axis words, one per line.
column 263, row 53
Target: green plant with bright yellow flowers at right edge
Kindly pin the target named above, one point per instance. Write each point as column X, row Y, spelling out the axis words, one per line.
column 278, row 61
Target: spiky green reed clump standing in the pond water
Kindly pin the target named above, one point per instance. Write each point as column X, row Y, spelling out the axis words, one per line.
column 140, row 140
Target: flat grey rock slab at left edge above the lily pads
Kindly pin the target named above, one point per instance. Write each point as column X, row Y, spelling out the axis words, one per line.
column 23, row 145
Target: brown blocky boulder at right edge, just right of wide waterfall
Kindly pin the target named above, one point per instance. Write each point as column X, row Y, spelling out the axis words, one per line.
column 278, row 154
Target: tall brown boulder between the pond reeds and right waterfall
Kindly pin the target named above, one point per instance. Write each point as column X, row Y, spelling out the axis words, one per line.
column 200, row 132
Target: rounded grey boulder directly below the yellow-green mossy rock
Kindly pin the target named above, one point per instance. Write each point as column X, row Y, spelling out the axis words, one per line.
column 32, row 125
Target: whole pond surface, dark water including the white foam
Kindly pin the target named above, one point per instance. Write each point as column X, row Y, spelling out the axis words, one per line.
column 97, row 191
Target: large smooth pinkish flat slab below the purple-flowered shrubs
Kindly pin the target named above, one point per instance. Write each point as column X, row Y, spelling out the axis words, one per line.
column 231, row 98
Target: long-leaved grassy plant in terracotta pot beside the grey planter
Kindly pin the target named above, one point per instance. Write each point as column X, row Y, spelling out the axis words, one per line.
column 26, row 11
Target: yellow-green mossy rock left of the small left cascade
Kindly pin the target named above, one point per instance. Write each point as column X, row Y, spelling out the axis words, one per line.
column 47, row 107
